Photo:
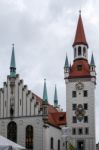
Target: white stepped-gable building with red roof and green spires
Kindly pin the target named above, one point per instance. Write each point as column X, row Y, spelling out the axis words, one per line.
column 27, row 119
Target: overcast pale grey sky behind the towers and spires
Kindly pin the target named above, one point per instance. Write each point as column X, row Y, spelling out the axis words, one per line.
column 43, row 31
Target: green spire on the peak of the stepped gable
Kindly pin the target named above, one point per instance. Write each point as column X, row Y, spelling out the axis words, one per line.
column 13, row 64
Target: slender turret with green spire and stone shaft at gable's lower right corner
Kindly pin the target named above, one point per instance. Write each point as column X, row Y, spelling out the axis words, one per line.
column 45, row 103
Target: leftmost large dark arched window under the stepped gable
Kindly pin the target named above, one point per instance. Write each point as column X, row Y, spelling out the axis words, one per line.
column 12, row 131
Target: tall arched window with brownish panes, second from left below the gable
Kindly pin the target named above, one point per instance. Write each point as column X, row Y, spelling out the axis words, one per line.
column 29, row 137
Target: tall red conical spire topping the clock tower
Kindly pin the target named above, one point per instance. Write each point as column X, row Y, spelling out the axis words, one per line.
column 80, row 34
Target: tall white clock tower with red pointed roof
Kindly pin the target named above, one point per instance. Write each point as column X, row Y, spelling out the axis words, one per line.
column 80, row 81
